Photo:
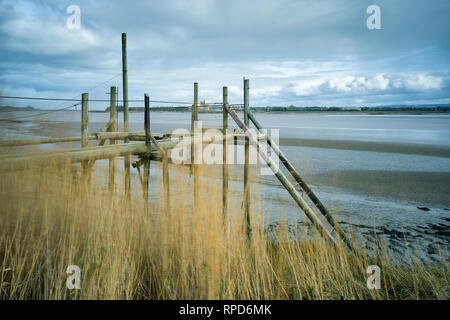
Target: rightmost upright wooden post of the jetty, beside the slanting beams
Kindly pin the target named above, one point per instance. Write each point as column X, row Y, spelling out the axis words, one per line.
column 247, row 160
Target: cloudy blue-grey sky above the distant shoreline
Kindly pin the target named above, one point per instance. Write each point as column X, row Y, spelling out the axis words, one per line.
column 294, row 52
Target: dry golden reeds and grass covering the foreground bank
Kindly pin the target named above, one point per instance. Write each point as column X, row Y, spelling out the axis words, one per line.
column 50, row 220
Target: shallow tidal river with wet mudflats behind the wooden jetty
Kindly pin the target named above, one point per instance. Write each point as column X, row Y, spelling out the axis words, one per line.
column 374, row 170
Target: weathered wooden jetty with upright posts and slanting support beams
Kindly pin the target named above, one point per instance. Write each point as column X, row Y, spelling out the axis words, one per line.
column 156, row 147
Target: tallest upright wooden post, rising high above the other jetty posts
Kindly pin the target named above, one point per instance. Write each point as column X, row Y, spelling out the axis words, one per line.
column 127, row 158
